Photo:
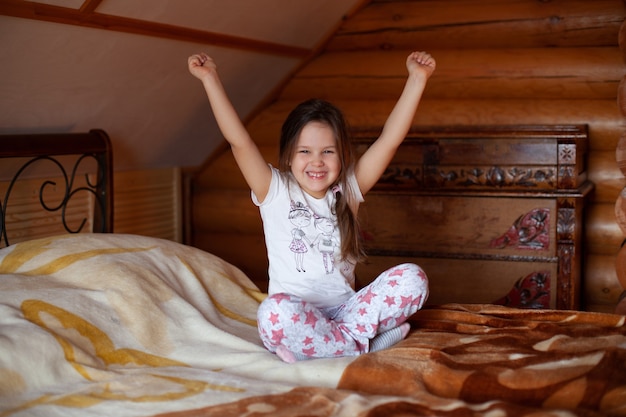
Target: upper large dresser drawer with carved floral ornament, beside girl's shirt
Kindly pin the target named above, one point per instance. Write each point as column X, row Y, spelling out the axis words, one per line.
column 459, row 225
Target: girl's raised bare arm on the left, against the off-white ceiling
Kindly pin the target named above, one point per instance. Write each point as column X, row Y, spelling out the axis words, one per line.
column 253, row 166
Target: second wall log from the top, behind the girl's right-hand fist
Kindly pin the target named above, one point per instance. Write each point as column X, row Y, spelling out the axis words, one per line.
column 576, row 73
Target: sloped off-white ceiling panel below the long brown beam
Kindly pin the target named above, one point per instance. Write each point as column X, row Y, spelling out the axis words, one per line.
column 60, row 78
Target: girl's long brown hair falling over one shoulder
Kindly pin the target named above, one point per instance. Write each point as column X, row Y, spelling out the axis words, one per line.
column 316, row 110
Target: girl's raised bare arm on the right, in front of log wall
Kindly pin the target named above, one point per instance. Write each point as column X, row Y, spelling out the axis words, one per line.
column 375, row 160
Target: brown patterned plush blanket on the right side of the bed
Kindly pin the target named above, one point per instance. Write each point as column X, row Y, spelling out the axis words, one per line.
column 473, row 360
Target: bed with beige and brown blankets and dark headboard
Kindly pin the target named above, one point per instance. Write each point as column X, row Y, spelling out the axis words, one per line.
column 106, row 324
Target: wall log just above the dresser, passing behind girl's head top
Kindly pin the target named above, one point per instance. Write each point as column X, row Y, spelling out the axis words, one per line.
column 603, row 116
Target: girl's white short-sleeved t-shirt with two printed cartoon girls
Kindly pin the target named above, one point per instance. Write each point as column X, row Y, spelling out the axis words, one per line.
column 304, row 245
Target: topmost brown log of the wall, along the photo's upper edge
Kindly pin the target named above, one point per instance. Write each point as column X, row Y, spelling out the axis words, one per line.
column 468, row 24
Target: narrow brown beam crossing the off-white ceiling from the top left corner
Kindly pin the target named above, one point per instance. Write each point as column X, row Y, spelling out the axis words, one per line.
column 85, row 17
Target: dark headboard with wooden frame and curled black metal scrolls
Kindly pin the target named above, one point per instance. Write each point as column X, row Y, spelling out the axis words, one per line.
column 94, row 145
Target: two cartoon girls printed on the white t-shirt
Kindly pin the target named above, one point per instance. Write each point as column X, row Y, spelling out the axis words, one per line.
column 323, row 237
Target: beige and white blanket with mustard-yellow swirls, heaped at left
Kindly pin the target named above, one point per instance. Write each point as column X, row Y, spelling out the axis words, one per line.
column 120, row 325
